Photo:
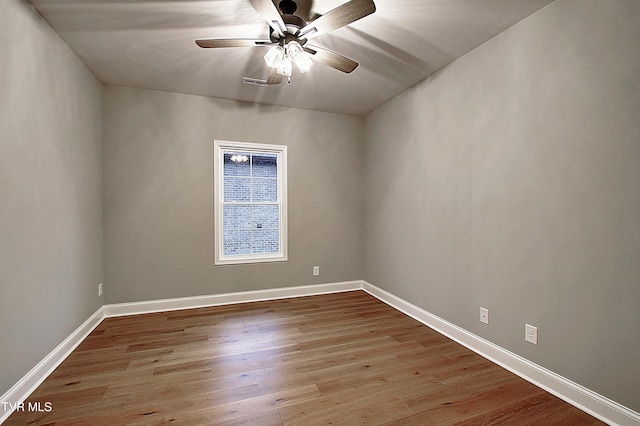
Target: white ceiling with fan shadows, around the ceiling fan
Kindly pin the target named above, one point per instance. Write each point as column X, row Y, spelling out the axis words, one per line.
column 150, row 44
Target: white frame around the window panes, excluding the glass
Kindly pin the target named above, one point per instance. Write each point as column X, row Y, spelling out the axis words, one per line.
column 219, row 148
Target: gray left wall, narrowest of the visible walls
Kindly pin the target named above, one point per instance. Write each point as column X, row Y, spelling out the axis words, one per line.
column 50, row 191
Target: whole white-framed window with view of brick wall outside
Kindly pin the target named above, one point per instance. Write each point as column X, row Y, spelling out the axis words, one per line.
column 250, row 210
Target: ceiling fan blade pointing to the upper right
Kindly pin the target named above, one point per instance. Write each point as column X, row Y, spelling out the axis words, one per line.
column 342, row 15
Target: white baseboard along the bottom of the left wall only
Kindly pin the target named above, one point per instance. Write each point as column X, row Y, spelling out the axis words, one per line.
column 25, row 386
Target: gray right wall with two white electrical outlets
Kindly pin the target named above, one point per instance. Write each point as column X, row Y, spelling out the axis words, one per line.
column 511, row 180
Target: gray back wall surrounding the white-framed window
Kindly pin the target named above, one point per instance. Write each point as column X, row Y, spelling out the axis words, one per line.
column 159, row 194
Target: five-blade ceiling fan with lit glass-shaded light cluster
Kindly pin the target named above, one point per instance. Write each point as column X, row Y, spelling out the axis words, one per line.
column 289, row 36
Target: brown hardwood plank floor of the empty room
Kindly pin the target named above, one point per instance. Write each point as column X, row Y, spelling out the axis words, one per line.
column 342, row 358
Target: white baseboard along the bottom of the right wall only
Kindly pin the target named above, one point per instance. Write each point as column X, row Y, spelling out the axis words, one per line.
column 591, row 402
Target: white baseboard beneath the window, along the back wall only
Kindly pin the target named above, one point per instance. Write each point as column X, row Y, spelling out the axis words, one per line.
column 134, row 308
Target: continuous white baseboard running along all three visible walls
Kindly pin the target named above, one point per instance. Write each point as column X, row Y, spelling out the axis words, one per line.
column 597, row 405
